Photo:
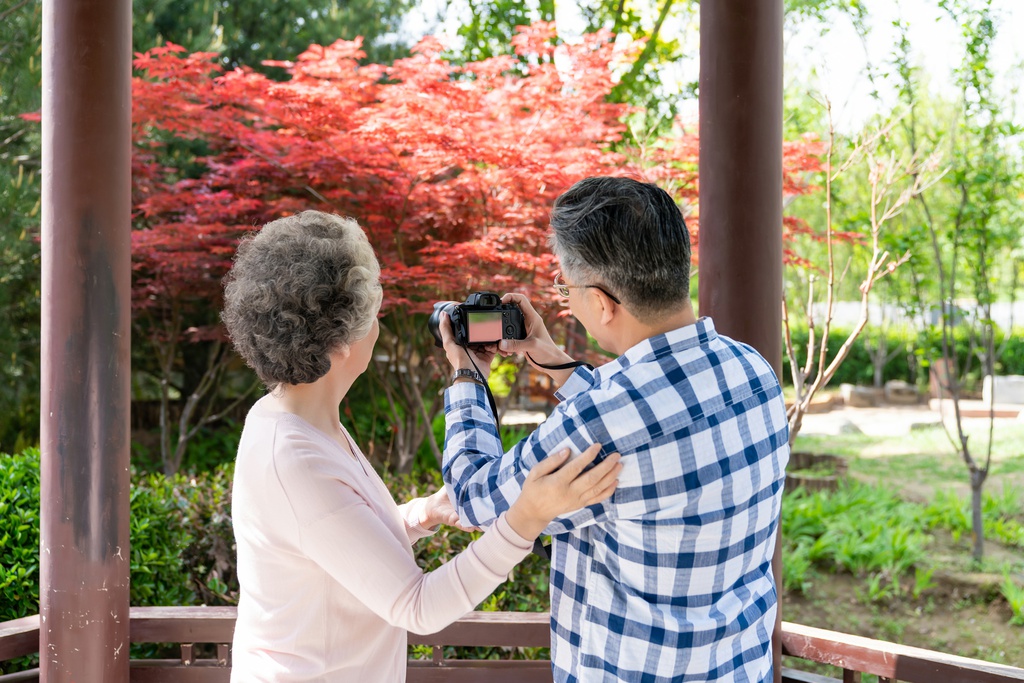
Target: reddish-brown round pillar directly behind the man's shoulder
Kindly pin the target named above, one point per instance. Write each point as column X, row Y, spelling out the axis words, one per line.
column 741, row 249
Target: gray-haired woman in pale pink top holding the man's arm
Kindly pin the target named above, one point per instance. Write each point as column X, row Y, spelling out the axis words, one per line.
column 329, row 582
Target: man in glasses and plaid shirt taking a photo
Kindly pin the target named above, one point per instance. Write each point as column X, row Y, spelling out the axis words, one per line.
column 670, row 579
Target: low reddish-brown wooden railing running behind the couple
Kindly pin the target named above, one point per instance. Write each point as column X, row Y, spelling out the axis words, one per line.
column 191, row 627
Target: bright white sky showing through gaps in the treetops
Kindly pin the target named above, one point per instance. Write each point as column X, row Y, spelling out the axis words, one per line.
column 834, row 65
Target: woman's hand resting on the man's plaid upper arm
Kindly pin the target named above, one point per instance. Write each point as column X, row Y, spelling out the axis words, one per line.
column 556, row 488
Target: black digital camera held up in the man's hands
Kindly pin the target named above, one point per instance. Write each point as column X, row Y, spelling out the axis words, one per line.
column 482, row 320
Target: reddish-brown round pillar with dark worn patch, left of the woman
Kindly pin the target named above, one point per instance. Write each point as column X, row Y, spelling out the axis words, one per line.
column 87, row 290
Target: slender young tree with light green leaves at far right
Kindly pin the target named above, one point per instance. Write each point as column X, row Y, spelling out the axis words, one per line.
column 970, row 228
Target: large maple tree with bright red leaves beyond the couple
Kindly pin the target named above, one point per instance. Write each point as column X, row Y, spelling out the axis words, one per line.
column 451, row 169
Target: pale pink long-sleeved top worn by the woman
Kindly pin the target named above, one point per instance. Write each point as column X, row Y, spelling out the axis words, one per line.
column 329, row 583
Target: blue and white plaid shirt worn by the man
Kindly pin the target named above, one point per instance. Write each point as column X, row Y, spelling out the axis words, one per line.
column 669, row 580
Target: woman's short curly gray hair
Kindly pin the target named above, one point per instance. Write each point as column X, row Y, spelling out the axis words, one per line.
column 301, row 289
